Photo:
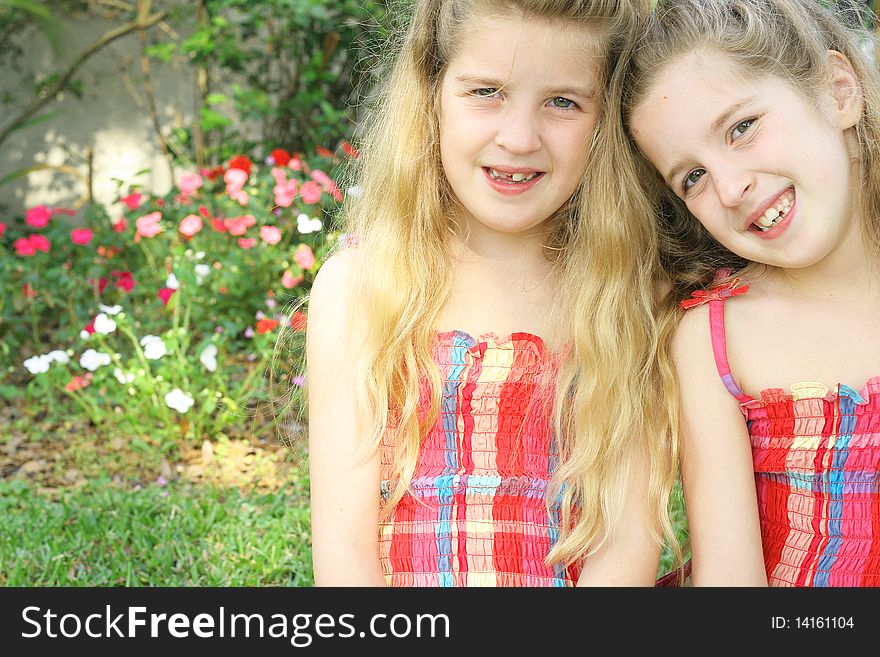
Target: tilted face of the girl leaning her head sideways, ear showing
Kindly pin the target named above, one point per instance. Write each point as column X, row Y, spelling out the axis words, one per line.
column 767, row 172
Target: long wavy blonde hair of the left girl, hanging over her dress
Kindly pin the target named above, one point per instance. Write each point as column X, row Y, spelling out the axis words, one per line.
column 603, row 250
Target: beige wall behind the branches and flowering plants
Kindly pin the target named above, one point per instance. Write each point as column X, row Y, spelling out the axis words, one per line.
column 111, row 117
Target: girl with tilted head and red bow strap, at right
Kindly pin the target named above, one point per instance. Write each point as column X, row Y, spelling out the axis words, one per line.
column 759, row 119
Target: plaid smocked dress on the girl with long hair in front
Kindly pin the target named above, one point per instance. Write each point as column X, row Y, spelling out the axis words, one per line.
column 476, row 513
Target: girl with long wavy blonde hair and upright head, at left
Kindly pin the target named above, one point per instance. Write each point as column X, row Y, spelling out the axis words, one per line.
column 483, row 404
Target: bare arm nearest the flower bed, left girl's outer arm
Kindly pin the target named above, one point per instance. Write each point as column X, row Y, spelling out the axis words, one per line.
column 344, row 473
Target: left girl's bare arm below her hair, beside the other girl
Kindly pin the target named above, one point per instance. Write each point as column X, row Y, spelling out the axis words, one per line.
column 632, row 555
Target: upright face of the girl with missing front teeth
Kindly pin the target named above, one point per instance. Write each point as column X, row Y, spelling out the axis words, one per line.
column 518, row 106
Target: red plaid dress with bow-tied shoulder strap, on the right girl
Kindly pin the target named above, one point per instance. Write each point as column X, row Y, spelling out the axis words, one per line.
column 817, row 468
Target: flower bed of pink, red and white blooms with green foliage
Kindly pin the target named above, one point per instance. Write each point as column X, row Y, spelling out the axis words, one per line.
column 159, row 315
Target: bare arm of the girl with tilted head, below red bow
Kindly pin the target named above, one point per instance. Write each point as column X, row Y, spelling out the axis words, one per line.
column 716, row 465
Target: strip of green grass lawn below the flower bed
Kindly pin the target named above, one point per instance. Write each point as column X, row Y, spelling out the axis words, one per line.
column 102, row 535
